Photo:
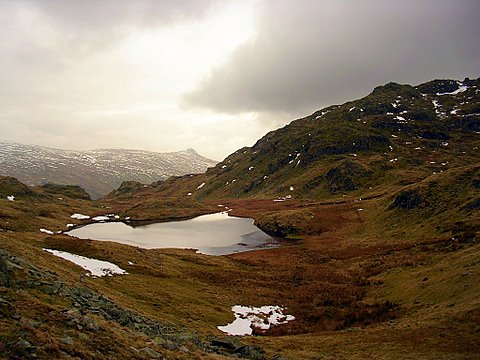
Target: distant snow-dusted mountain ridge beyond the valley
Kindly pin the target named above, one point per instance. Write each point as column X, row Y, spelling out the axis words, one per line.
column 97, row 171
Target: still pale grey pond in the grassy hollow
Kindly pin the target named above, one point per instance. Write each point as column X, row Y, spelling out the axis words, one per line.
column 215, row 234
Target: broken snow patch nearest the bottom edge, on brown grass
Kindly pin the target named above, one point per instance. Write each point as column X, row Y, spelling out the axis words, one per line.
column 247, row 317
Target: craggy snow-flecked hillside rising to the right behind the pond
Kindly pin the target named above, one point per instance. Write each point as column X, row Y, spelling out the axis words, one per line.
column 395, row 136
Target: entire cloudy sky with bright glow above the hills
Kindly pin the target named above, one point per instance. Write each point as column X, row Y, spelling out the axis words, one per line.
column 213, row 75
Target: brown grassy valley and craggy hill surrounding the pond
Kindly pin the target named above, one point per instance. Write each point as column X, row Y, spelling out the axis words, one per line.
column 375, row 203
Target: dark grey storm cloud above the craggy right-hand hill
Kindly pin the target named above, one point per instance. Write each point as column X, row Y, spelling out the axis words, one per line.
column 309, row 54
